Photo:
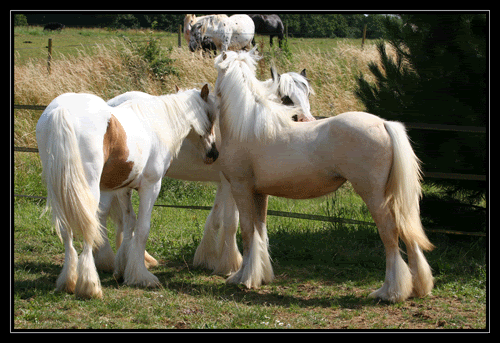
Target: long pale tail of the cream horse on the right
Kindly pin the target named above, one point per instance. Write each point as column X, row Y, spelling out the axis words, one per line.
column 403, row 190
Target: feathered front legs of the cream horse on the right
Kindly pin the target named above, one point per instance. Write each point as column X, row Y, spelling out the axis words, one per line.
column 256, row 268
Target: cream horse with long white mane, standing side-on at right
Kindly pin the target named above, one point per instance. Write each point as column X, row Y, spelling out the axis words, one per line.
column 262, row 153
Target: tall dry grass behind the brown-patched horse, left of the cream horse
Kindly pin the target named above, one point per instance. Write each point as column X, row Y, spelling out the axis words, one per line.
column 106, row 71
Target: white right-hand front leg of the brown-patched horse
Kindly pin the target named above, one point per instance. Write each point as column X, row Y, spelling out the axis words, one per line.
column 136, row 272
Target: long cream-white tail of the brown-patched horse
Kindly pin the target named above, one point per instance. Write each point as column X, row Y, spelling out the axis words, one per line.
column 73, row 205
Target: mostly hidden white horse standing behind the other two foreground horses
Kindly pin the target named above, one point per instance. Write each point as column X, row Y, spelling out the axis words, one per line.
column 218, row 249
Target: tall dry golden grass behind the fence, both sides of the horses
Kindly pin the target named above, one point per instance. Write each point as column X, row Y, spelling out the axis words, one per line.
column 112, row 69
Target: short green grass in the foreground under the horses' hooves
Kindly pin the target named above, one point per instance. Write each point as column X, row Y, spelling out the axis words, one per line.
column 324, row 273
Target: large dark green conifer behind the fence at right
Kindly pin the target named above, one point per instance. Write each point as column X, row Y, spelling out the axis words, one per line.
column 438, row 76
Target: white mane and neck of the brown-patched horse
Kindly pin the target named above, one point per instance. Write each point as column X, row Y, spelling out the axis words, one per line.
column 171, row 116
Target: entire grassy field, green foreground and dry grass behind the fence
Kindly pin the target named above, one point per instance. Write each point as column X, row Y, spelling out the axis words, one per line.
column 324, row 271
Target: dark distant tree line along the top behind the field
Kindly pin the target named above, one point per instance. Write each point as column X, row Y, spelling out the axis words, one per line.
column 299, row 25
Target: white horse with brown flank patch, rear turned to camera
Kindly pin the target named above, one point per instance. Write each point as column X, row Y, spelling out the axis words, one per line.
column 92, row 152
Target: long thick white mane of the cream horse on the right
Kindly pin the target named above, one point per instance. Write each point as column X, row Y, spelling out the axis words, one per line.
column 245, row 109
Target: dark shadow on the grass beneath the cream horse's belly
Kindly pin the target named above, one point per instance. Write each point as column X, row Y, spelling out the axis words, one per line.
column 319, row 268
